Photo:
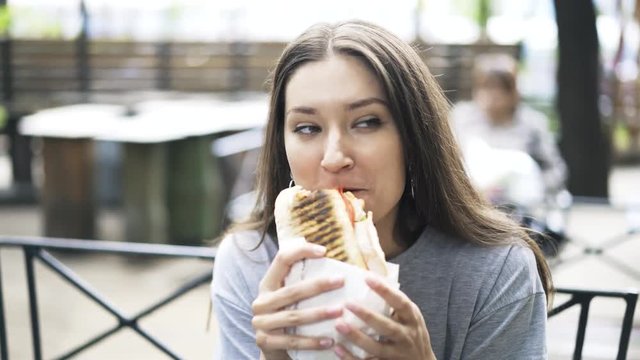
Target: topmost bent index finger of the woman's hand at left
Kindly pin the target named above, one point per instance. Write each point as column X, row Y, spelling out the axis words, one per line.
column 284, row 259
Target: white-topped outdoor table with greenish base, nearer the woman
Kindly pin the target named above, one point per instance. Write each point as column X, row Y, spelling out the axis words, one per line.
column 173, row 187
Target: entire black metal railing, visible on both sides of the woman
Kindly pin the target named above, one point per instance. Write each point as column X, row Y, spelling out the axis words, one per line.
column 37, row 249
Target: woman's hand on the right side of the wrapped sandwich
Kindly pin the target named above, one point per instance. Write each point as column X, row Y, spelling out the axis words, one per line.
column 404, row 334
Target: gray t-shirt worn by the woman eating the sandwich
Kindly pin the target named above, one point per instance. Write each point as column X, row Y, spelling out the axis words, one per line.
column 478, row 302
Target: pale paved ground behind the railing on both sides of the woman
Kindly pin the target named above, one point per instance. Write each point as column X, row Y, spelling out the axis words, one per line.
column 131, row 283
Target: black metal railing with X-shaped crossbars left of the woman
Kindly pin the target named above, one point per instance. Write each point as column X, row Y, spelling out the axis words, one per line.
column 37, row 249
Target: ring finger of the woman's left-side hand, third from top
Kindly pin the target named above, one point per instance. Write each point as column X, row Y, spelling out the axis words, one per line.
column 291, row 318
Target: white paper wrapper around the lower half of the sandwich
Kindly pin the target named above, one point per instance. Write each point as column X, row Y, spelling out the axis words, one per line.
column 355, row 289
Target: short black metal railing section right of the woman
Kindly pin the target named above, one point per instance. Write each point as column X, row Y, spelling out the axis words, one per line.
column 583, row 299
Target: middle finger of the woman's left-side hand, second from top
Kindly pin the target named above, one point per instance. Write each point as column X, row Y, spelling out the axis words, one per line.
column 283, row 297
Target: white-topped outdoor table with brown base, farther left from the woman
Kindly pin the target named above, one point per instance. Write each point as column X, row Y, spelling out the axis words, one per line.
column 68, row 198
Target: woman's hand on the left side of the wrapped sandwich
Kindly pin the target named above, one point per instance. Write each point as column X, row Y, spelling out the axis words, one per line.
column 270, row 314
